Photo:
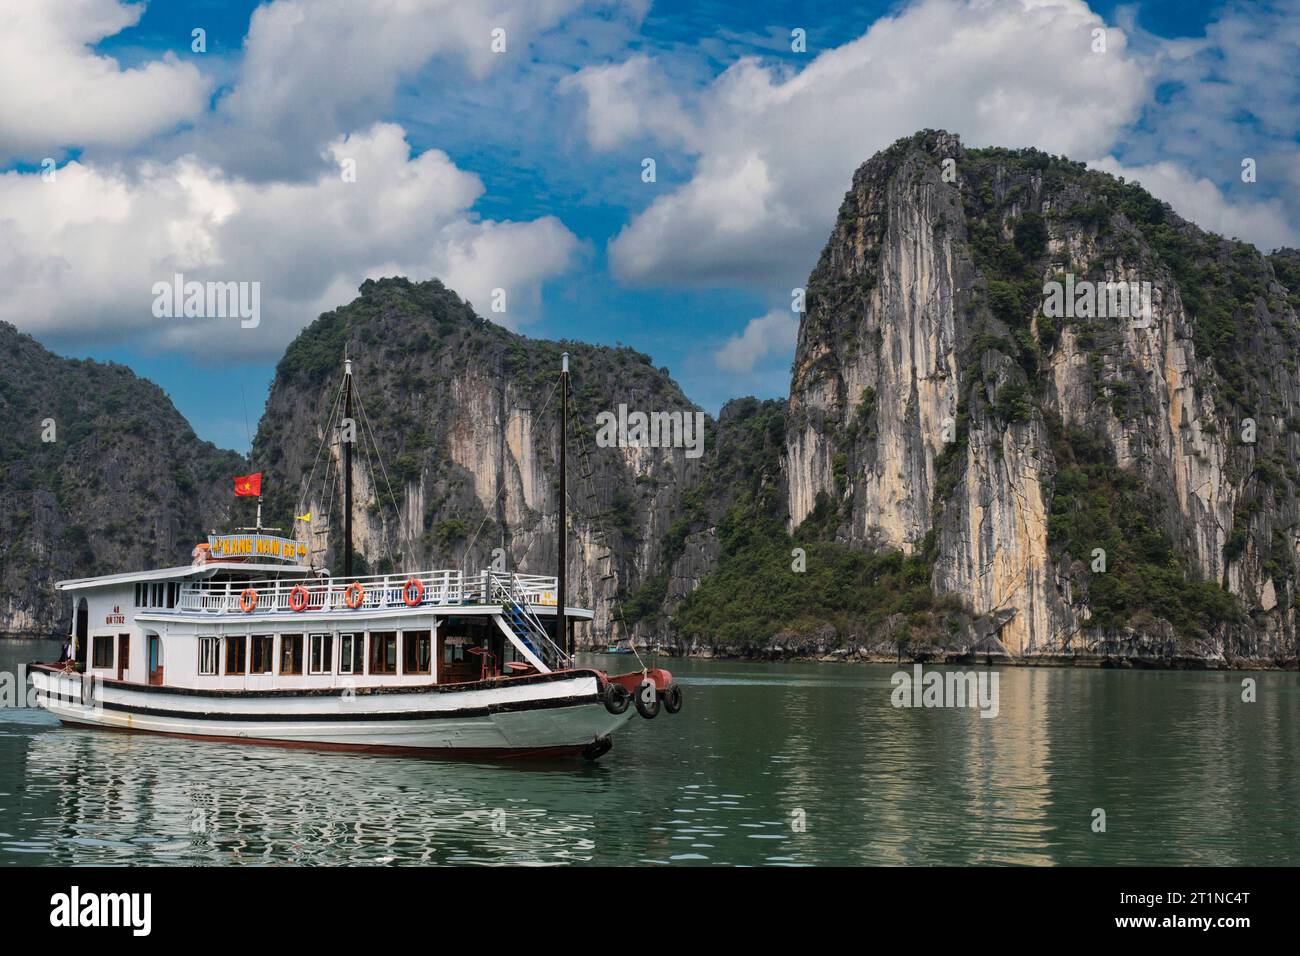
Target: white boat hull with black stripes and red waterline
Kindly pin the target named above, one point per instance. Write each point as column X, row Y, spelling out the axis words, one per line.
column 534, row 716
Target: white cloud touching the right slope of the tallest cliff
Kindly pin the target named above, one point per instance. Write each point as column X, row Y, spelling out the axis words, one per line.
column 1201, row 201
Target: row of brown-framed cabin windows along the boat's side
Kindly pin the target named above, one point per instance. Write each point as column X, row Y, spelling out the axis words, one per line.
column 257, row 654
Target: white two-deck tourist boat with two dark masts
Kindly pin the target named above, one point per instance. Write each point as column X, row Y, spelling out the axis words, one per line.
column 253, row 644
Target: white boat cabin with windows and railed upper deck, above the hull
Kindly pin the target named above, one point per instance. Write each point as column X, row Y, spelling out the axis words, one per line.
column 241, row 626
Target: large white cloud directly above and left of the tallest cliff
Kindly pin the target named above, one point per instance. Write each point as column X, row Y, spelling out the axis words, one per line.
column 778, row 149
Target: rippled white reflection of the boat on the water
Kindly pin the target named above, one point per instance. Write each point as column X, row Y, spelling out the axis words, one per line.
column 116, row 799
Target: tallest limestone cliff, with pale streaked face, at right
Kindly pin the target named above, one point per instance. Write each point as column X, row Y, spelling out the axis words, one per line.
column 1081, row 483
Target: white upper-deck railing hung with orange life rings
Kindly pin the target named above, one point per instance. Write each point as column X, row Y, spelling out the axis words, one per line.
column 378, row 592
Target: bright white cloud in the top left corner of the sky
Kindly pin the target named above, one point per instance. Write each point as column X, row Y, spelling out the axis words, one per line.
column 57, row 93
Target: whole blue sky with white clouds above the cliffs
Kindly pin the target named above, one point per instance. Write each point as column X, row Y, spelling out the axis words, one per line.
column 523, row 170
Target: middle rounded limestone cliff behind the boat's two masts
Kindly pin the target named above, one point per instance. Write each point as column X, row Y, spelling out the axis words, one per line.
column 466, row 417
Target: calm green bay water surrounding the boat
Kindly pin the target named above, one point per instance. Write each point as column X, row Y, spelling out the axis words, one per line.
column 768, row 764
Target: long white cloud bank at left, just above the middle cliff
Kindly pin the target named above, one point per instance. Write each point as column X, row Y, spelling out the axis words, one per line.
column 81, row 254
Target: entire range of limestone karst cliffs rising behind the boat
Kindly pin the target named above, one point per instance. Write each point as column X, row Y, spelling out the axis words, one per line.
column 957, row 469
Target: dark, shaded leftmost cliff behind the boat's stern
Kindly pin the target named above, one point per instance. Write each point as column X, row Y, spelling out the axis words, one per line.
column 99, row 473
